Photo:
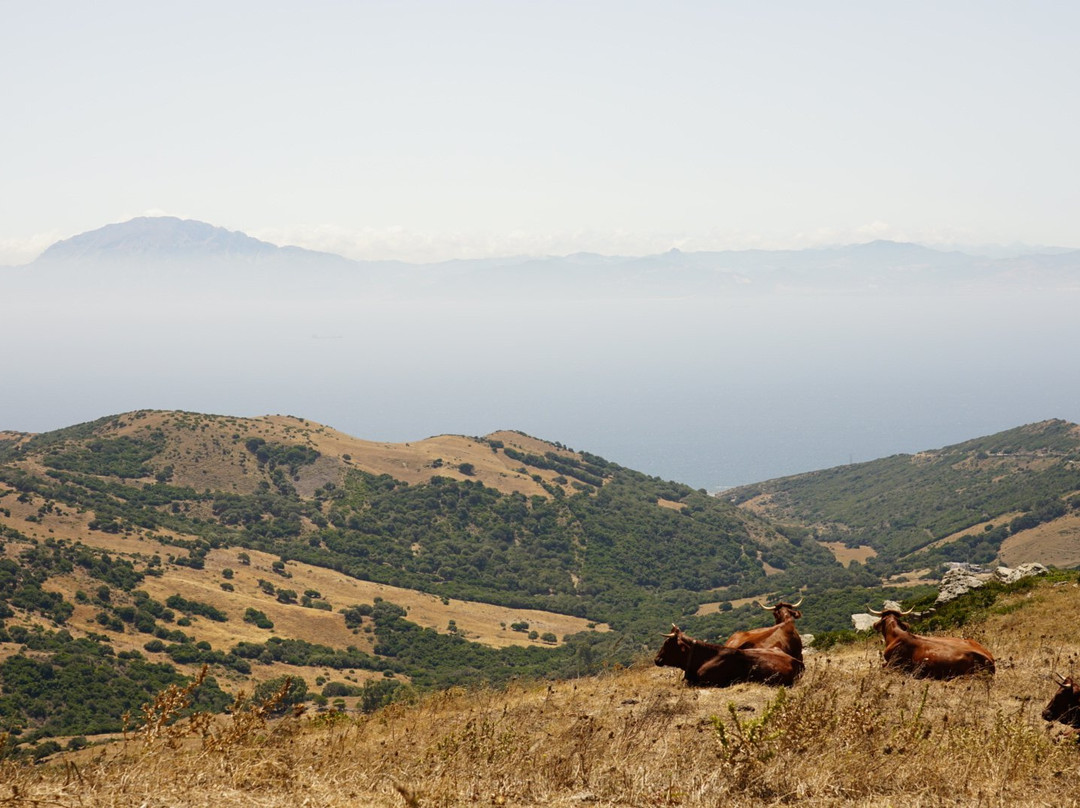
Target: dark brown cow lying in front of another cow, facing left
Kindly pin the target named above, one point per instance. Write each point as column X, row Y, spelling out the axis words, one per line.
column 717, row 666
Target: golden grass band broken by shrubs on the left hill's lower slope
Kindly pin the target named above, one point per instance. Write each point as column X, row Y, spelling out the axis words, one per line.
column 480, row 623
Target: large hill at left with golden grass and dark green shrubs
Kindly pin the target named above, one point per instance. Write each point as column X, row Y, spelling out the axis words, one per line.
column 139, row 548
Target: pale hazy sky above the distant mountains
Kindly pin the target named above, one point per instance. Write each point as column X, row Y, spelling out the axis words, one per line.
column 433, row 130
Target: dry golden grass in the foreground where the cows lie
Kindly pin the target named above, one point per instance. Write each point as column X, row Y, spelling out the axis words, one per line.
column 848, row 734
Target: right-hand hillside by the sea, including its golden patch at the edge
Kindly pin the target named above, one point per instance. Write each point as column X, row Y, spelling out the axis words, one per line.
column 896, row 508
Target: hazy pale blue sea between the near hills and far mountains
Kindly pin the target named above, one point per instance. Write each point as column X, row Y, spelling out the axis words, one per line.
column 710, row 393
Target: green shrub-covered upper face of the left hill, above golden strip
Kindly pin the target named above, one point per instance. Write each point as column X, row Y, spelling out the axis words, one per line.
column 599, row 542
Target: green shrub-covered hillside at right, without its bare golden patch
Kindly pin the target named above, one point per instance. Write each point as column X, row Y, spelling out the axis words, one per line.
column 901, row 505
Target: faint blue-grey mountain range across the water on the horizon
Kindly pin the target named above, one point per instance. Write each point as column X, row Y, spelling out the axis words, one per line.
column 127, row 255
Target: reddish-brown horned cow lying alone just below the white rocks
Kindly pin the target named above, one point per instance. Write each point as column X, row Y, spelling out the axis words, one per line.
column 940, row 658
